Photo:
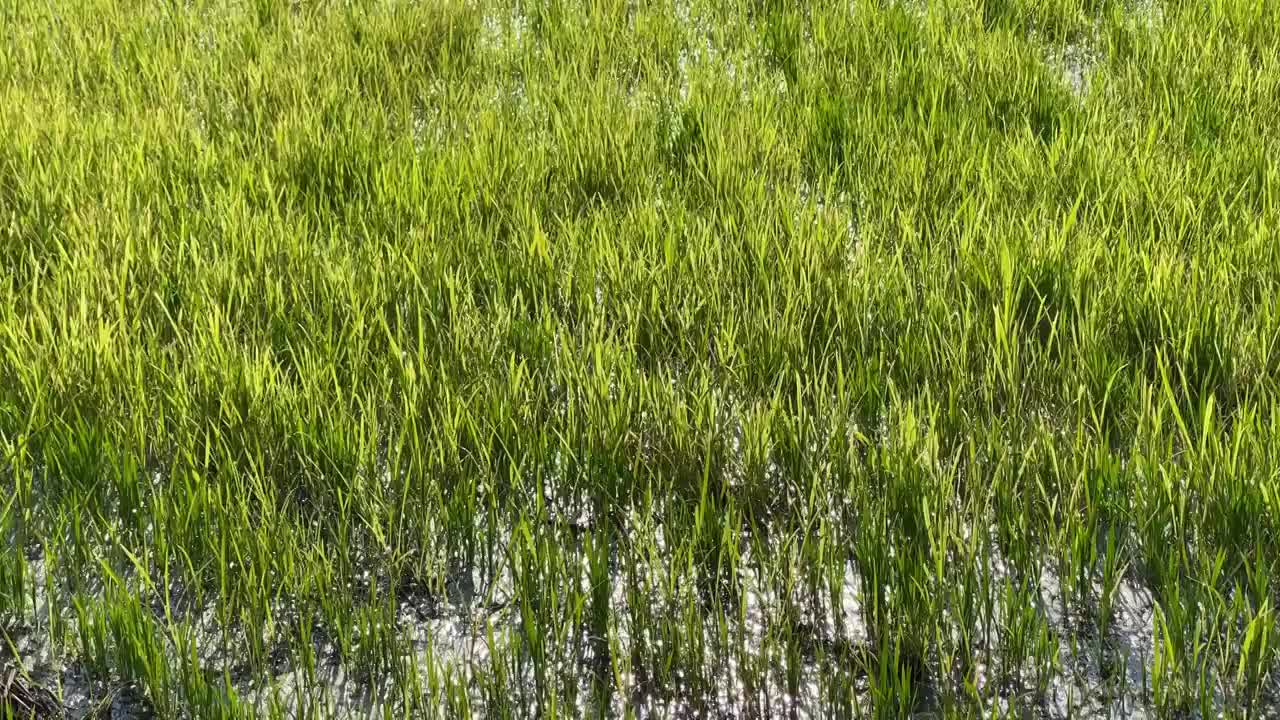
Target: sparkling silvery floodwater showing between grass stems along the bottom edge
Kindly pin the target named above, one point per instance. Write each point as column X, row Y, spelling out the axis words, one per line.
column 452, row 635
